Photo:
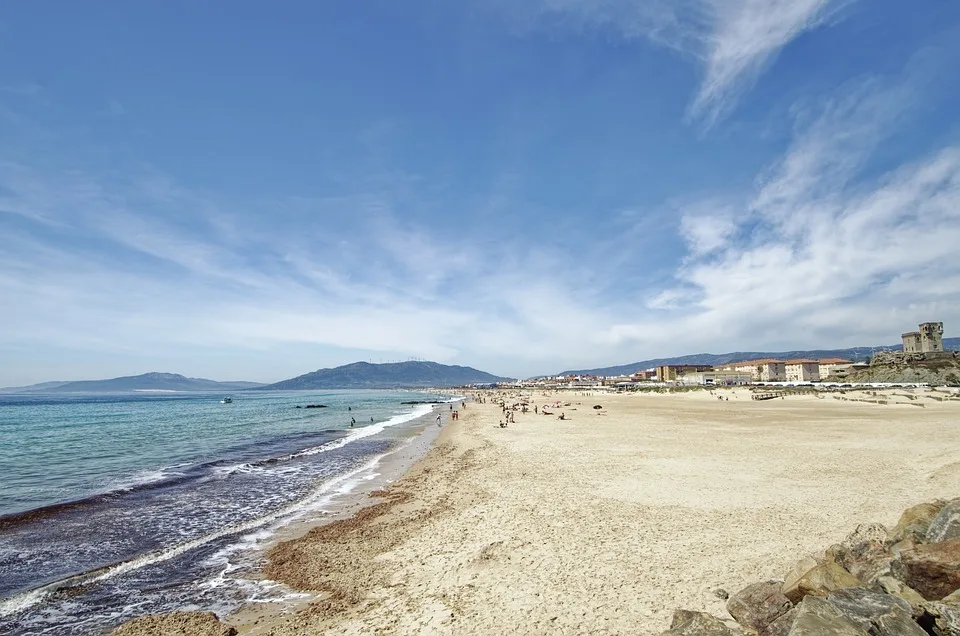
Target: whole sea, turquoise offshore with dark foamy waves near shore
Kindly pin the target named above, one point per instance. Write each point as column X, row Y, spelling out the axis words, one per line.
column 115, row 506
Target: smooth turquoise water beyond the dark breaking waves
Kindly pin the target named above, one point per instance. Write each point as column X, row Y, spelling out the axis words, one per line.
column 56, row 448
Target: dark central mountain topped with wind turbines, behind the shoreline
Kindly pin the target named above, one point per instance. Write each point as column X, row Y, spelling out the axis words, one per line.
column 394, row 375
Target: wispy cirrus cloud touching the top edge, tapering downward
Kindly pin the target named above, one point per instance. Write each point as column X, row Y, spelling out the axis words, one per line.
column 734, row 41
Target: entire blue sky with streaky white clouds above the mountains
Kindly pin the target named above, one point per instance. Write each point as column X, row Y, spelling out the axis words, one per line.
column 253, row 190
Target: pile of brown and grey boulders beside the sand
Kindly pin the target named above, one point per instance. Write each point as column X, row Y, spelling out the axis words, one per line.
column 901, row 582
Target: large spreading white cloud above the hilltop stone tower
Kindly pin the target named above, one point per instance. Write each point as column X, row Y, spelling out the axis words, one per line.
column 824, row 253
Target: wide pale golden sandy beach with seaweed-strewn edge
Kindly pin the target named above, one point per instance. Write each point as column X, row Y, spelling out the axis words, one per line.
column 605, row 523
